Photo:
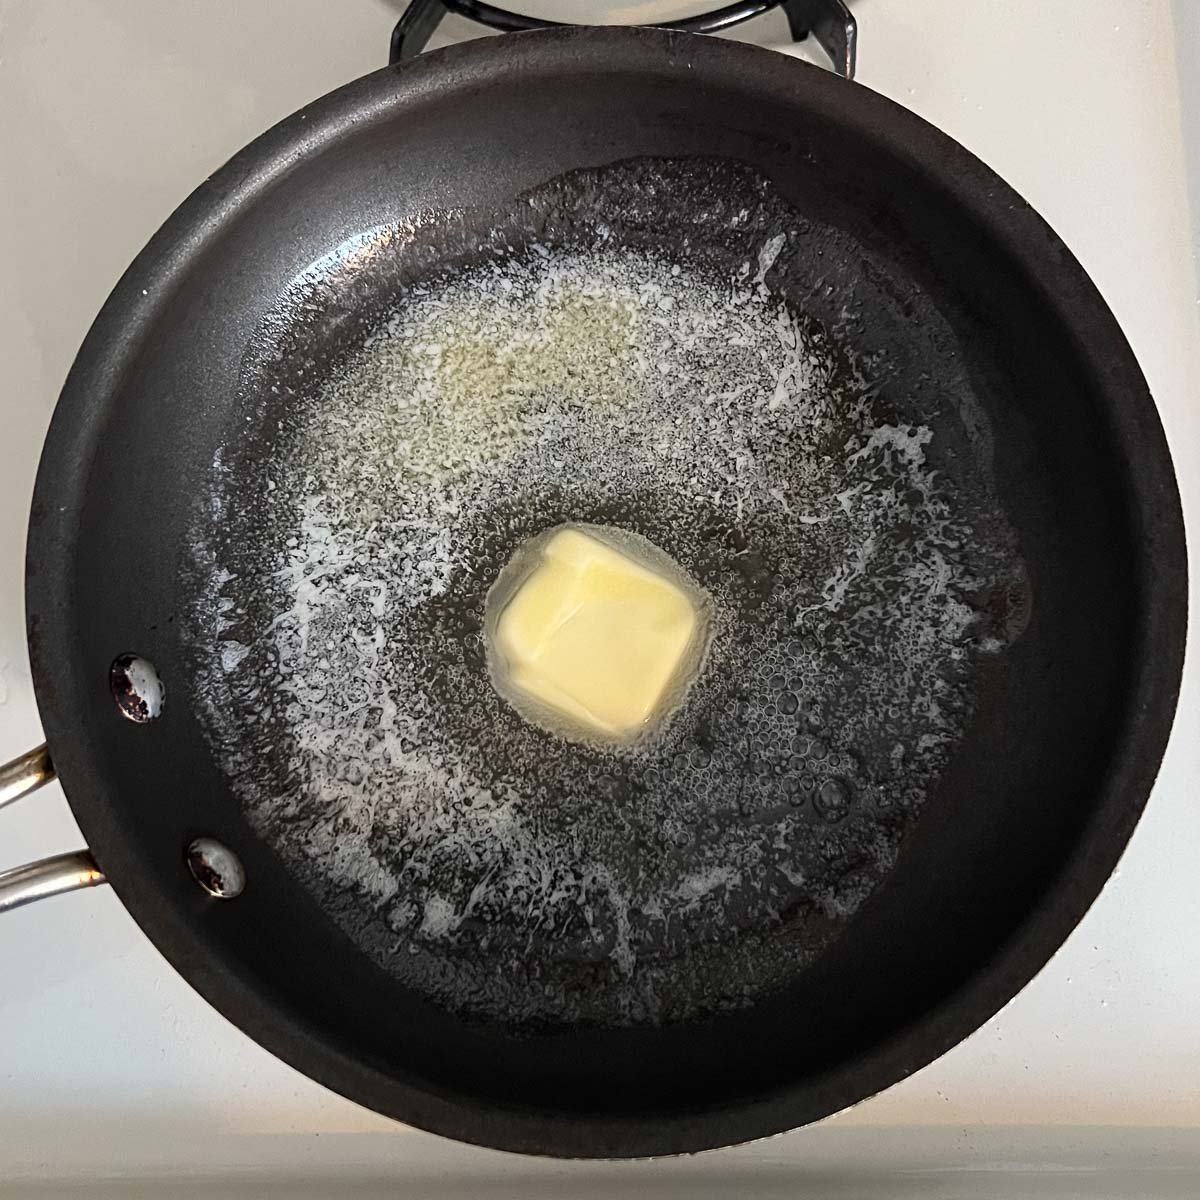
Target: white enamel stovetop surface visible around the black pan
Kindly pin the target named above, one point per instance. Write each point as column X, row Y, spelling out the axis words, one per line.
column 113, row 110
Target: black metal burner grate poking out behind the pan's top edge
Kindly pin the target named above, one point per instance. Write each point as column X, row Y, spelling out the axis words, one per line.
column 829, row 21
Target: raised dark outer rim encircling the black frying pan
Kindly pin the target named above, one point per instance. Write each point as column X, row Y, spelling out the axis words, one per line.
column 1043, row 259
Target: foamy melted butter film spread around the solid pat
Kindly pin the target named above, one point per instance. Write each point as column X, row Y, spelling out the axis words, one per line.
column 664, row 349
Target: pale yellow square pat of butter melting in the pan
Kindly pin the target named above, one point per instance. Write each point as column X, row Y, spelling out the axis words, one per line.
column 595, row 633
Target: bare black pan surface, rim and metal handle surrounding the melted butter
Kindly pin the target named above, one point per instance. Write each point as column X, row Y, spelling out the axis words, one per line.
column 1034, row 802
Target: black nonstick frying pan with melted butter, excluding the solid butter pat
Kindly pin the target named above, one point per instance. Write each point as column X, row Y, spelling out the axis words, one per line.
column 689, row 290
